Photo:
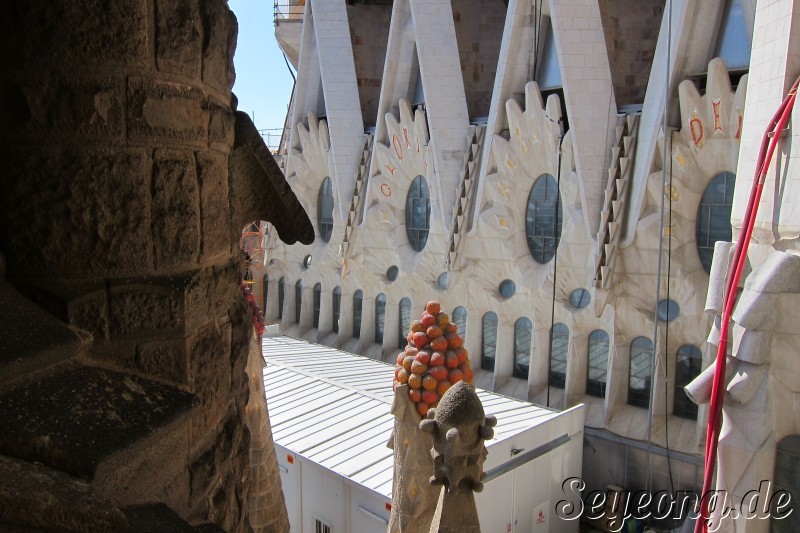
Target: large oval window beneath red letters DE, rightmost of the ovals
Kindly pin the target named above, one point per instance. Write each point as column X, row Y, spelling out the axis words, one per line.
column 714, row 216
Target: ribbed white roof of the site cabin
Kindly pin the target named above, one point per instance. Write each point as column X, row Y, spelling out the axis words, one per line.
column 333, row 408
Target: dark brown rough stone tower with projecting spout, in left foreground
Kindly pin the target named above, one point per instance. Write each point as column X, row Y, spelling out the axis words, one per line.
column 120, row 218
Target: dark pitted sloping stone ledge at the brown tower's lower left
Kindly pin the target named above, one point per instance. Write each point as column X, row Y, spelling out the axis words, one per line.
column 86, row 415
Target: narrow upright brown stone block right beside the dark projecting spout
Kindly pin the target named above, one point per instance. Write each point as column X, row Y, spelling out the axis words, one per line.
column 212, row 173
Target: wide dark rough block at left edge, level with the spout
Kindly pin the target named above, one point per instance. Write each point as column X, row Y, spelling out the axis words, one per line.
column 101, row 203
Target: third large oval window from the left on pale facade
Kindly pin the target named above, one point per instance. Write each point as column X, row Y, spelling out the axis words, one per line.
column 543, row 219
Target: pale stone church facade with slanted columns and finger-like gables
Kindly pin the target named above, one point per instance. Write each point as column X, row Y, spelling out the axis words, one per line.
column 459, row 105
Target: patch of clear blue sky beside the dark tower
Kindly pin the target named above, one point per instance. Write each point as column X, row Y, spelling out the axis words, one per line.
column 263, row 82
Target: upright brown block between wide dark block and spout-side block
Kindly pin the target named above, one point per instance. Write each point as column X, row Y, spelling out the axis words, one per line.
column 176, row 209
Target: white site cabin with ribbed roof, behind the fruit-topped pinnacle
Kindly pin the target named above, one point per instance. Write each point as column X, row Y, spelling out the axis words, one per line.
column 330, row 416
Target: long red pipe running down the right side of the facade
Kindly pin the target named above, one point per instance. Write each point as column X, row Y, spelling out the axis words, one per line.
column 775, row 127
